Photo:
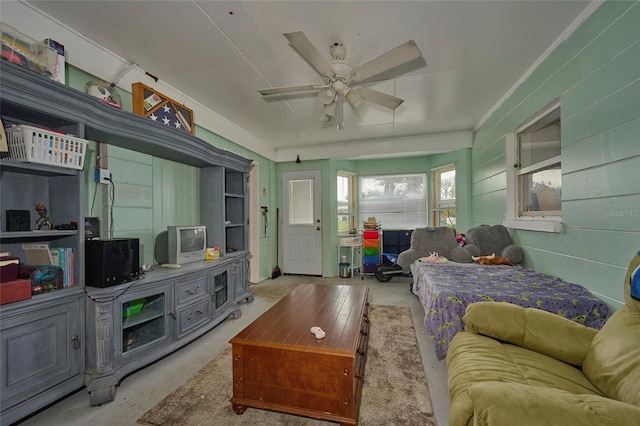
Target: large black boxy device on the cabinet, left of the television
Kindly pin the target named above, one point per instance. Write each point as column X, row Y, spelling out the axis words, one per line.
column 112, row 262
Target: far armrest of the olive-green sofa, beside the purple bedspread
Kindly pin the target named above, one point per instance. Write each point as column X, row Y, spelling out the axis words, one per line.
column 531, row 328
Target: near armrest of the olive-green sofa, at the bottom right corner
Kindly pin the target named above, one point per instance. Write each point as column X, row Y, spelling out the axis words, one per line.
column 507, row 404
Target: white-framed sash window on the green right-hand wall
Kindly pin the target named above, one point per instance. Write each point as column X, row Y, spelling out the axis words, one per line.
column 534, row 173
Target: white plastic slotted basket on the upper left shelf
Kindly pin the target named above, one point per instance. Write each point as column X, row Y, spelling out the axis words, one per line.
column 34, row 145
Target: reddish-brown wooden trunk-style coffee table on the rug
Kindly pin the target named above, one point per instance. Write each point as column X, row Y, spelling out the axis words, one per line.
column 279, row 365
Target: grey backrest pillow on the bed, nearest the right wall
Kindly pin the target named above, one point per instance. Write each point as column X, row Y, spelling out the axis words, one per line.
column 485, row 240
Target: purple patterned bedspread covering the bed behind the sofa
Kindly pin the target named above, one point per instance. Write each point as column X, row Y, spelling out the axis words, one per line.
column 445, row 290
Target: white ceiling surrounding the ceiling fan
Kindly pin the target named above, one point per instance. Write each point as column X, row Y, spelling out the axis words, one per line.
column 221, row 52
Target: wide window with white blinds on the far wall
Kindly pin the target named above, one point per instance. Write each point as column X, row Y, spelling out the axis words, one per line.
column 396, row 201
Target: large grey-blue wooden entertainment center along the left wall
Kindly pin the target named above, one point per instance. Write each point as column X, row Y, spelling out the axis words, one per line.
column 55, row 343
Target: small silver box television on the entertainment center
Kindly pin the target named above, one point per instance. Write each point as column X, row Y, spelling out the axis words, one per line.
column 181, row 244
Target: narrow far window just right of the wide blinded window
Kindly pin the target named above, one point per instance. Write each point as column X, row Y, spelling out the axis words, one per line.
column 444, row 196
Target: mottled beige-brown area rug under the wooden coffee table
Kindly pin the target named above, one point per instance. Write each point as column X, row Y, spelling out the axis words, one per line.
column 395, row 390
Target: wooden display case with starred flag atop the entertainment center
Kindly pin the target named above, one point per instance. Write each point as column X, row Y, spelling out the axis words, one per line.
column 152, row 104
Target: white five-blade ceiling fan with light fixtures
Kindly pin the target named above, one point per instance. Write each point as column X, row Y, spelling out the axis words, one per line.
column 338, row 76
